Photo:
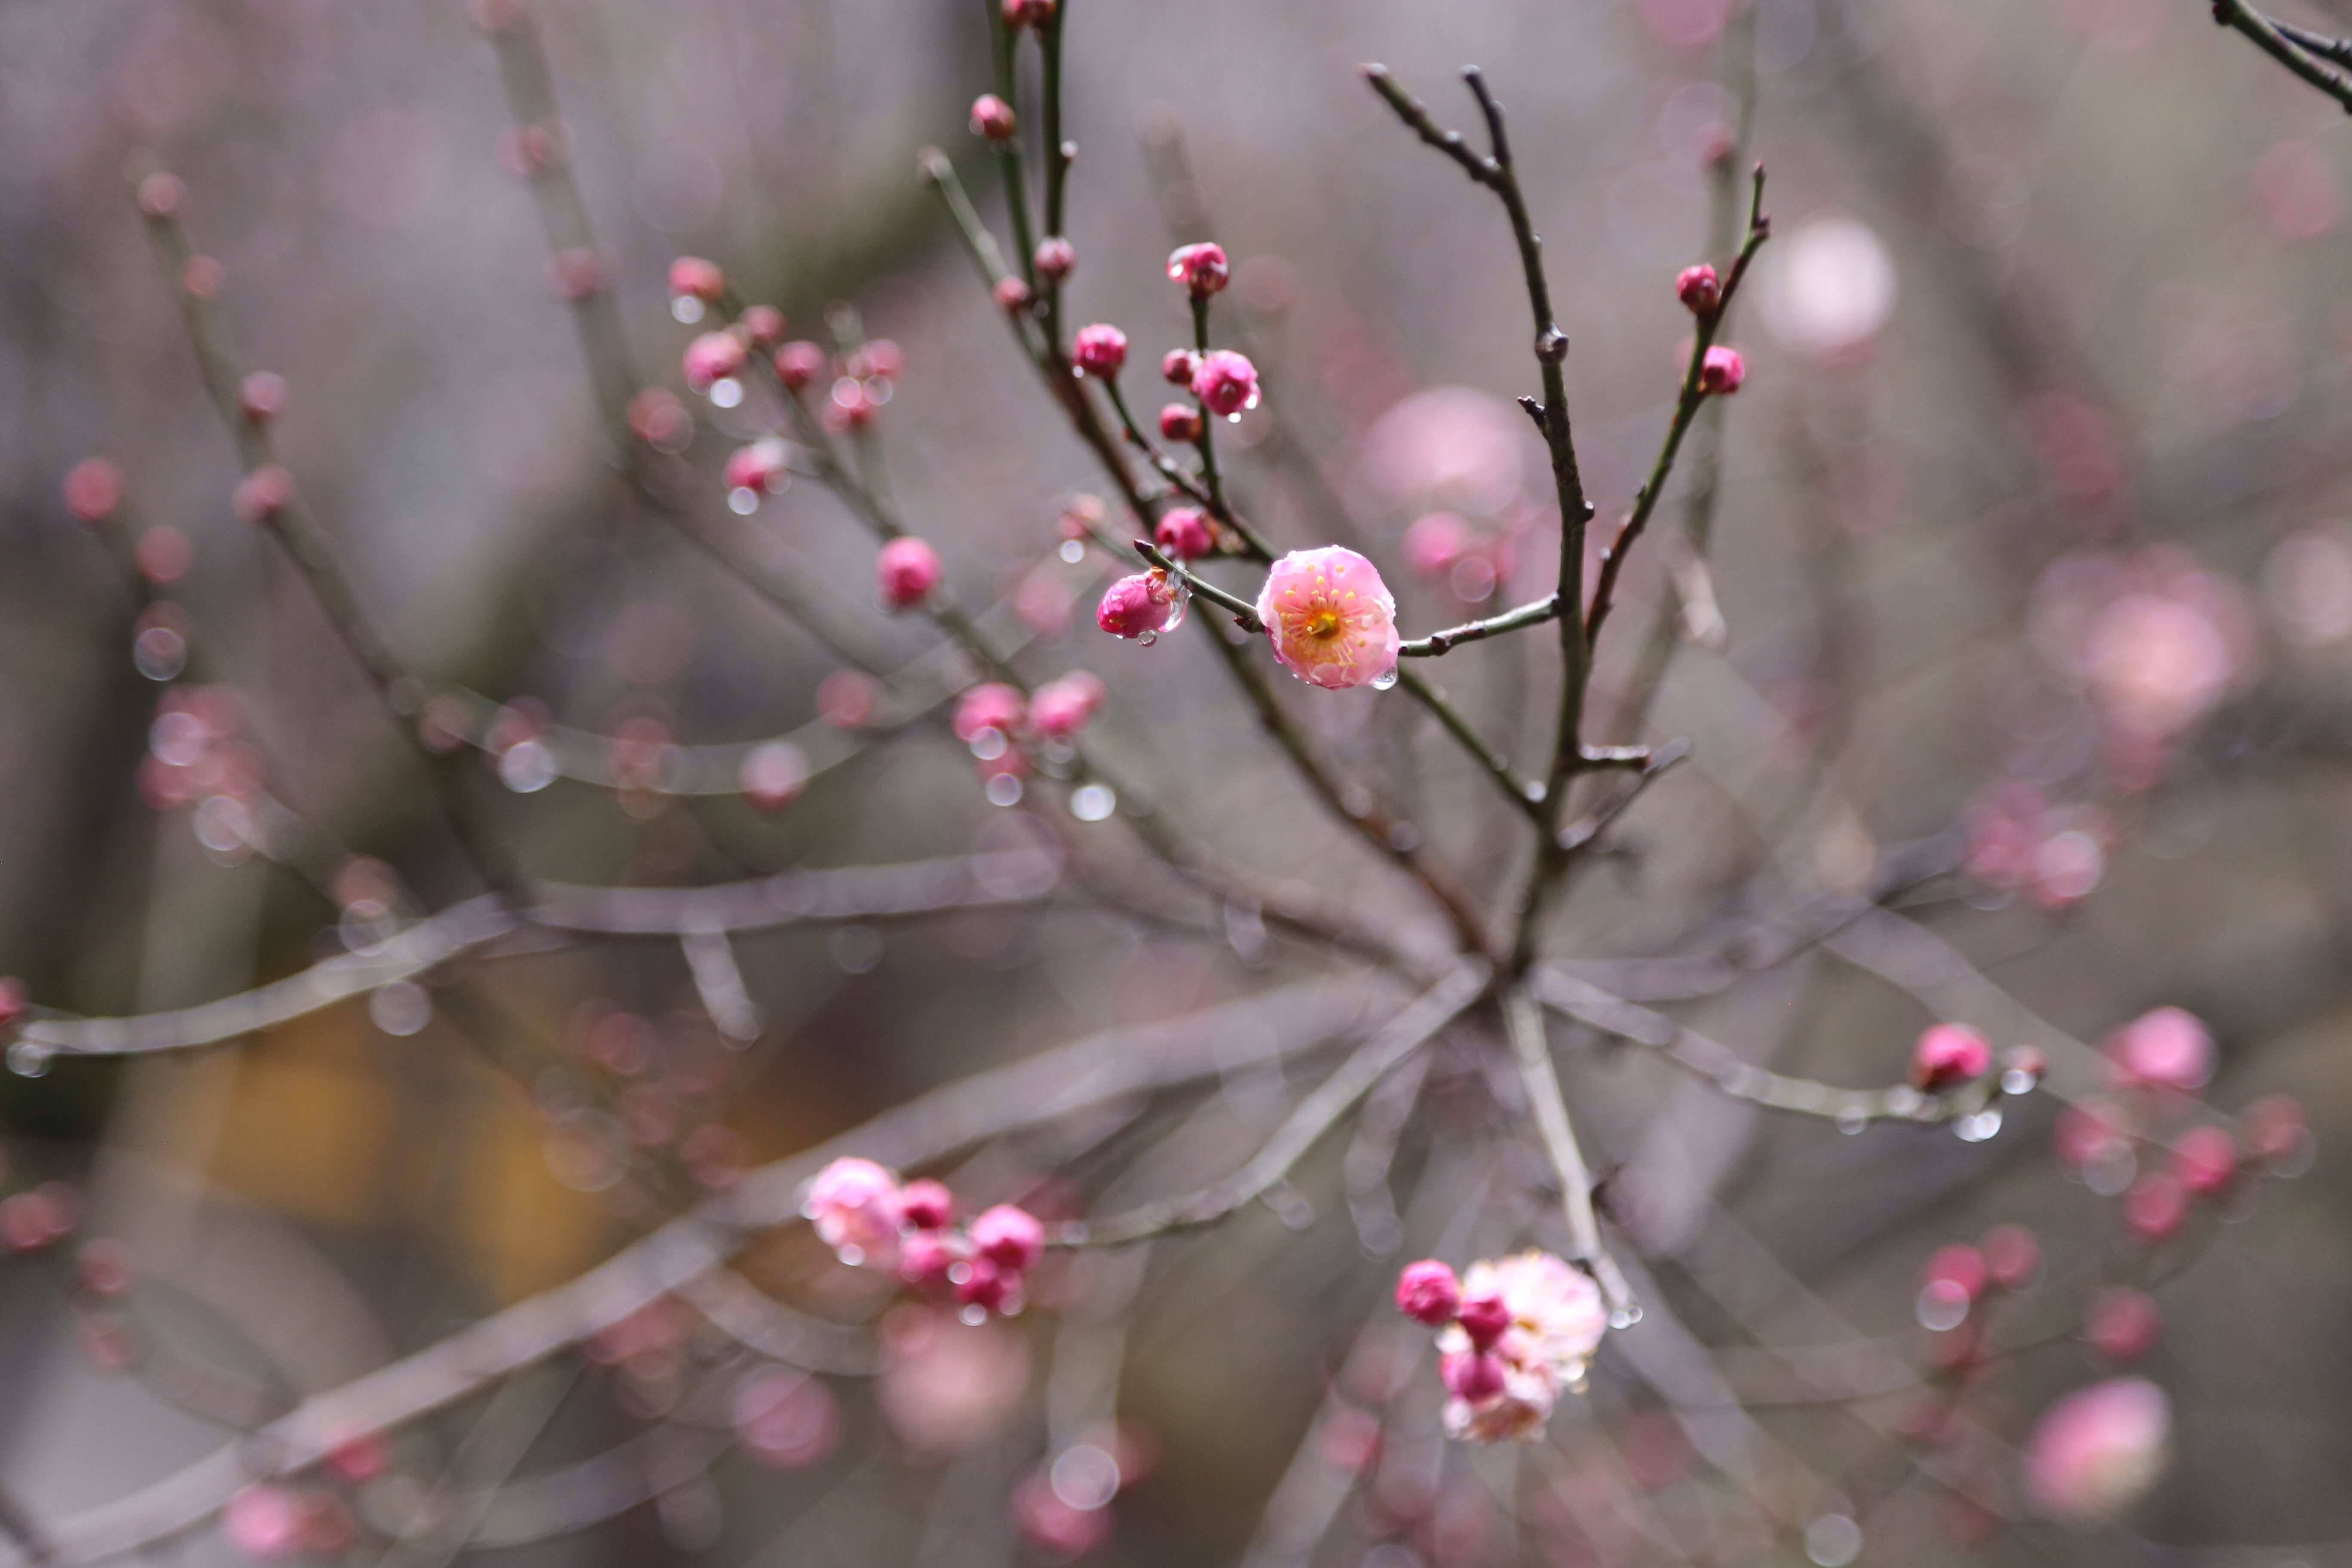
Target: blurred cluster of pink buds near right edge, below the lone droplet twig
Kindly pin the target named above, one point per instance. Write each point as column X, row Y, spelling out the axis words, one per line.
column 2151, row 1141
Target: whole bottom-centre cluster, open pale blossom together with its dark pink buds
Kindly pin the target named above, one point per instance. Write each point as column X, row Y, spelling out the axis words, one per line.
column 1514, row 1334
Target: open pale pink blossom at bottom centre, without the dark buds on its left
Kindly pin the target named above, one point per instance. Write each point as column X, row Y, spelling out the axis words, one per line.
column 1553, row 1327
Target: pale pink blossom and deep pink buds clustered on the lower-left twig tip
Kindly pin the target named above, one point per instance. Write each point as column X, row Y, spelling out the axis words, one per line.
column 871, row 1221
